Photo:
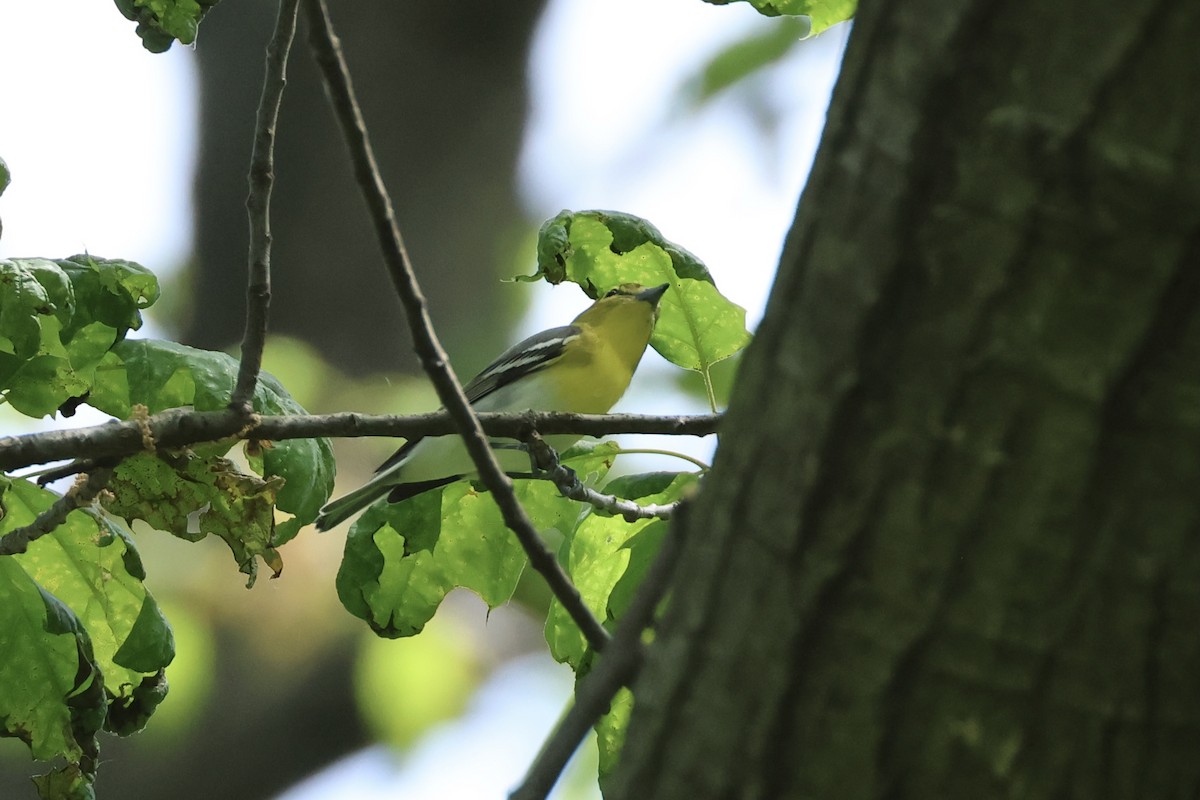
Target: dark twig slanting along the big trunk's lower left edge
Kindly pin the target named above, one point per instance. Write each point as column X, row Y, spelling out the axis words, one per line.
column 617, row 667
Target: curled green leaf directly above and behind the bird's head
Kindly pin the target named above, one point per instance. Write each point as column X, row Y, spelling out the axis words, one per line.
column 599, row 250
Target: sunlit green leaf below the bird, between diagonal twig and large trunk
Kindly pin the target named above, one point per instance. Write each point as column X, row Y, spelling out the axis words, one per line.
column 601, row 555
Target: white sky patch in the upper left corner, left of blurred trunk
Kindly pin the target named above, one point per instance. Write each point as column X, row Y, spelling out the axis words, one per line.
column 99, row 135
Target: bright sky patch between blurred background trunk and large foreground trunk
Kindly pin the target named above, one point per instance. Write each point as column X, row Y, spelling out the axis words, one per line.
column 712, row 181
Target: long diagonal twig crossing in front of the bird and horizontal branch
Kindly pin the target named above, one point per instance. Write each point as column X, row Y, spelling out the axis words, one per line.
column 435, row 360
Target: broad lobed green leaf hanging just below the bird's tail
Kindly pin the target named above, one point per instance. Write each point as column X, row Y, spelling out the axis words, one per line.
column 403, row 560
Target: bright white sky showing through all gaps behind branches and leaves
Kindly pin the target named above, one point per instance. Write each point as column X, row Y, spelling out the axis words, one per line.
column 100, row 139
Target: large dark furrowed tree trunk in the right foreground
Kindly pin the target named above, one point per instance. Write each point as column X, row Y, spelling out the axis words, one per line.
column 950, row 546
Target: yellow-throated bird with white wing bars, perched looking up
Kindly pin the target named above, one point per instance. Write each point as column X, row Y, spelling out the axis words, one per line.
column 583, row 368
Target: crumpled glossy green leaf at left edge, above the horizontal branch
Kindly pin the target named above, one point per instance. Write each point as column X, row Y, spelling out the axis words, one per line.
column 58, row 320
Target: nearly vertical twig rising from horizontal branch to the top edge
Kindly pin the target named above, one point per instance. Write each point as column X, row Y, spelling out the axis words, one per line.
column 259, row 208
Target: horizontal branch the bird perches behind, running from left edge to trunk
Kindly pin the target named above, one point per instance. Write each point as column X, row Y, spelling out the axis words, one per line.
column 182, row 429
